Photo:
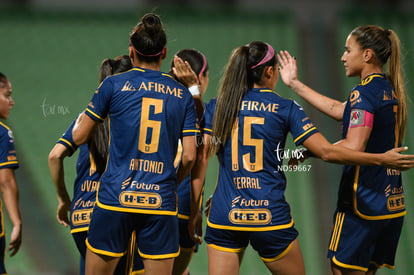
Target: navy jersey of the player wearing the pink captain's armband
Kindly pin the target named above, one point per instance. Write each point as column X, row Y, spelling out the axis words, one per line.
column 373, row 192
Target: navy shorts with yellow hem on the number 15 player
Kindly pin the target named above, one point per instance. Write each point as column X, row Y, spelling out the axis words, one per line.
column 271, row 245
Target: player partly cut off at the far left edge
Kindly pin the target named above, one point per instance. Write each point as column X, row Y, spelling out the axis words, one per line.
column 8, row 184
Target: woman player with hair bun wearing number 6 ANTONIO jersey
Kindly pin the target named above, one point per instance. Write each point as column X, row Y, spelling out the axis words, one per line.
column 149, row 112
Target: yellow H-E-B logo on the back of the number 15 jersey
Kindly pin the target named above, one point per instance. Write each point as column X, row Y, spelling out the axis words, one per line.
column 250, row 216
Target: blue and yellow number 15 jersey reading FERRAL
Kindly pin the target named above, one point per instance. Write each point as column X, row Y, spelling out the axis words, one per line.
column 249, row 195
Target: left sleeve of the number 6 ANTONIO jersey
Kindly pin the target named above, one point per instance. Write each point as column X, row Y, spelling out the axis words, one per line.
column 99, row 105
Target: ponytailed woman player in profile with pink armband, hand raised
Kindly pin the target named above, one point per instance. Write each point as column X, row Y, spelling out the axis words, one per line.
column 370, row 207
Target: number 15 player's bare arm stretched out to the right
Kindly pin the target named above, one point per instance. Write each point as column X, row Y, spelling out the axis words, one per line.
column 336, row 153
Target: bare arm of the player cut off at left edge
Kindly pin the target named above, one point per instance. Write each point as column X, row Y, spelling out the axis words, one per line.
column 10, row 192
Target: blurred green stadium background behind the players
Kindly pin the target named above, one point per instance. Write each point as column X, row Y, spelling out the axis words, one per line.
column 51, row 52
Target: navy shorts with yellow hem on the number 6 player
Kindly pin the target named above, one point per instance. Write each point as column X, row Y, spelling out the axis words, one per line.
column 109, row 232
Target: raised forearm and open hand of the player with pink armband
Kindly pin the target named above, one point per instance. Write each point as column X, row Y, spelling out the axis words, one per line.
column 288, row 73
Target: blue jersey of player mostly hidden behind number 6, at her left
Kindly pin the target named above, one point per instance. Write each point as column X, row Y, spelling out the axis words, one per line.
column 85, row 186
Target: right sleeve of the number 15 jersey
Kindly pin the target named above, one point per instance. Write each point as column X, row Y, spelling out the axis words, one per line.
column 301, row 126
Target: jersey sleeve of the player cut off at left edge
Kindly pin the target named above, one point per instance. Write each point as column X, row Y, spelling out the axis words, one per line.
column 8, row 158
